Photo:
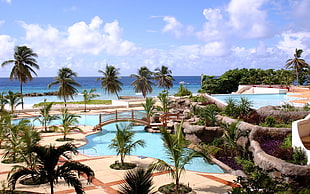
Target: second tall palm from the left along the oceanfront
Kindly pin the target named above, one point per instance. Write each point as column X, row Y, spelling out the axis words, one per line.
column 66, row 83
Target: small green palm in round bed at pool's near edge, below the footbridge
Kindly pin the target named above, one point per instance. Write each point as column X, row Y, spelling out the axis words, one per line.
column 123, row 142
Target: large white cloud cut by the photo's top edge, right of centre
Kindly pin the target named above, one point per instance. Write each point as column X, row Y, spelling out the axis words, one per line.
column 248, row 19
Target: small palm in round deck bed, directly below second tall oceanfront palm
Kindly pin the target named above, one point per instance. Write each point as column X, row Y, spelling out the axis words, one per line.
column 68, row 123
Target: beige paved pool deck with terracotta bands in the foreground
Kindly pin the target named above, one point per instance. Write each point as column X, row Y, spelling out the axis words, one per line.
column 108, row 180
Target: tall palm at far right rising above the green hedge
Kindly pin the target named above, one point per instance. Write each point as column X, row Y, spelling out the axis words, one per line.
column 297, row 64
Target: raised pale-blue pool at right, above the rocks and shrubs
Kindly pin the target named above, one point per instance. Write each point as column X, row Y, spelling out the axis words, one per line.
column 259, row 100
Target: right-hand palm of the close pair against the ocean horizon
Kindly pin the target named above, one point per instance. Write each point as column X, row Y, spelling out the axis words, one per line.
column 163, row 77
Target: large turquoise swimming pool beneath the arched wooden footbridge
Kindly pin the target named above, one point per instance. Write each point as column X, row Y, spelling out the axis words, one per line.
column 98, row 144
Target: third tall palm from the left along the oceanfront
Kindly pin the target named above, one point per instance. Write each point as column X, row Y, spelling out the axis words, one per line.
column 110, row 80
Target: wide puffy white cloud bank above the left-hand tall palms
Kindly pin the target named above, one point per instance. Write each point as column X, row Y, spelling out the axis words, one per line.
column 92, row 38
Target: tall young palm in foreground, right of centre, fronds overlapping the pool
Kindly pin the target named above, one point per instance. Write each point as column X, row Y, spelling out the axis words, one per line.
column 178, row 154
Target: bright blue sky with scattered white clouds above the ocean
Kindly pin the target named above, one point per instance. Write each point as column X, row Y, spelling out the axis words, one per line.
column 190, row 37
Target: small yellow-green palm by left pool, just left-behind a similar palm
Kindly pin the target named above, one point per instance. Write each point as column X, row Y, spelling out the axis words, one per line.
column 46, row 118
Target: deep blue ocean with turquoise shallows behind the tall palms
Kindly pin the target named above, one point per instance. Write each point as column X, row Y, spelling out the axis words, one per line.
column 39, row 85
